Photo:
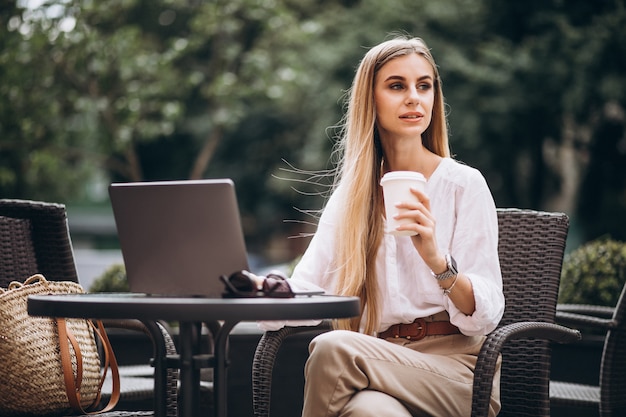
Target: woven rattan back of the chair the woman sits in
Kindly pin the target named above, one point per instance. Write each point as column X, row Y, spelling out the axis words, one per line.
column 531, row 247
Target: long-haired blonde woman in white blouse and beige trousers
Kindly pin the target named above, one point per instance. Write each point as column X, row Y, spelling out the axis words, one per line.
column 427, row 300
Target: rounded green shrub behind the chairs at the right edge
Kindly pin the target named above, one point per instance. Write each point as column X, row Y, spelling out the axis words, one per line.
column 594, row 274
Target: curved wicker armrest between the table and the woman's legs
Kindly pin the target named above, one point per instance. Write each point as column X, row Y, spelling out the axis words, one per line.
column 263, row 364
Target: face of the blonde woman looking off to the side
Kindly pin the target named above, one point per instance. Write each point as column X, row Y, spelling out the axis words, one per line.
column 404, row 94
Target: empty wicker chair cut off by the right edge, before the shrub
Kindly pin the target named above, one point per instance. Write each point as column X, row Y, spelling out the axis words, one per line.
column 608, row 398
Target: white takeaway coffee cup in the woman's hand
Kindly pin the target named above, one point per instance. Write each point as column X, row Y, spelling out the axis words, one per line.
column 397, row 188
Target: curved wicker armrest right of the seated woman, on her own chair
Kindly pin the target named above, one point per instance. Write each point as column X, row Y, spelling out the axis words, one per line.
column 492, row 347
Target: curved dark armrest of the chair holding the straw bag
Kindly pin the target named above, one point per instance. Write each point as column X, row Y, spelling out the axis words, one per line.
column 165, row 378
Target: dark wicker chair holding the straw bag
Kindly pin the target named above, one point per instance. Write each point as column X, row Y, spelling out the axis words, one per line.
column 34, row 238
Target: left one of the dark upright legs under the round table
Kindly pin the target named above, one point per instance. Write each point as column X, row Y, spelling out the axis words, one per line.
column 189, row 394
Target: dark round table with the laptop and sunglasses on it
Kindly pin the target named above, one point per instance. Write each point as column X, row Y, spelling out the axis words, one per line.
column 191, row 312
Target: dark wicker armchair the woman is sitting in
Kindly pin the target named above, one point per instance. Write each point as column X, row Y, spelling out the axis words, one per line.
column 531, row 246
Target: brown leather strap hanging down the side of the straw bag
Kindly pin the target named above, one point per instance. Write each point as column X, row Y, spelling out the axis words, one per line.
column 73, row 383
